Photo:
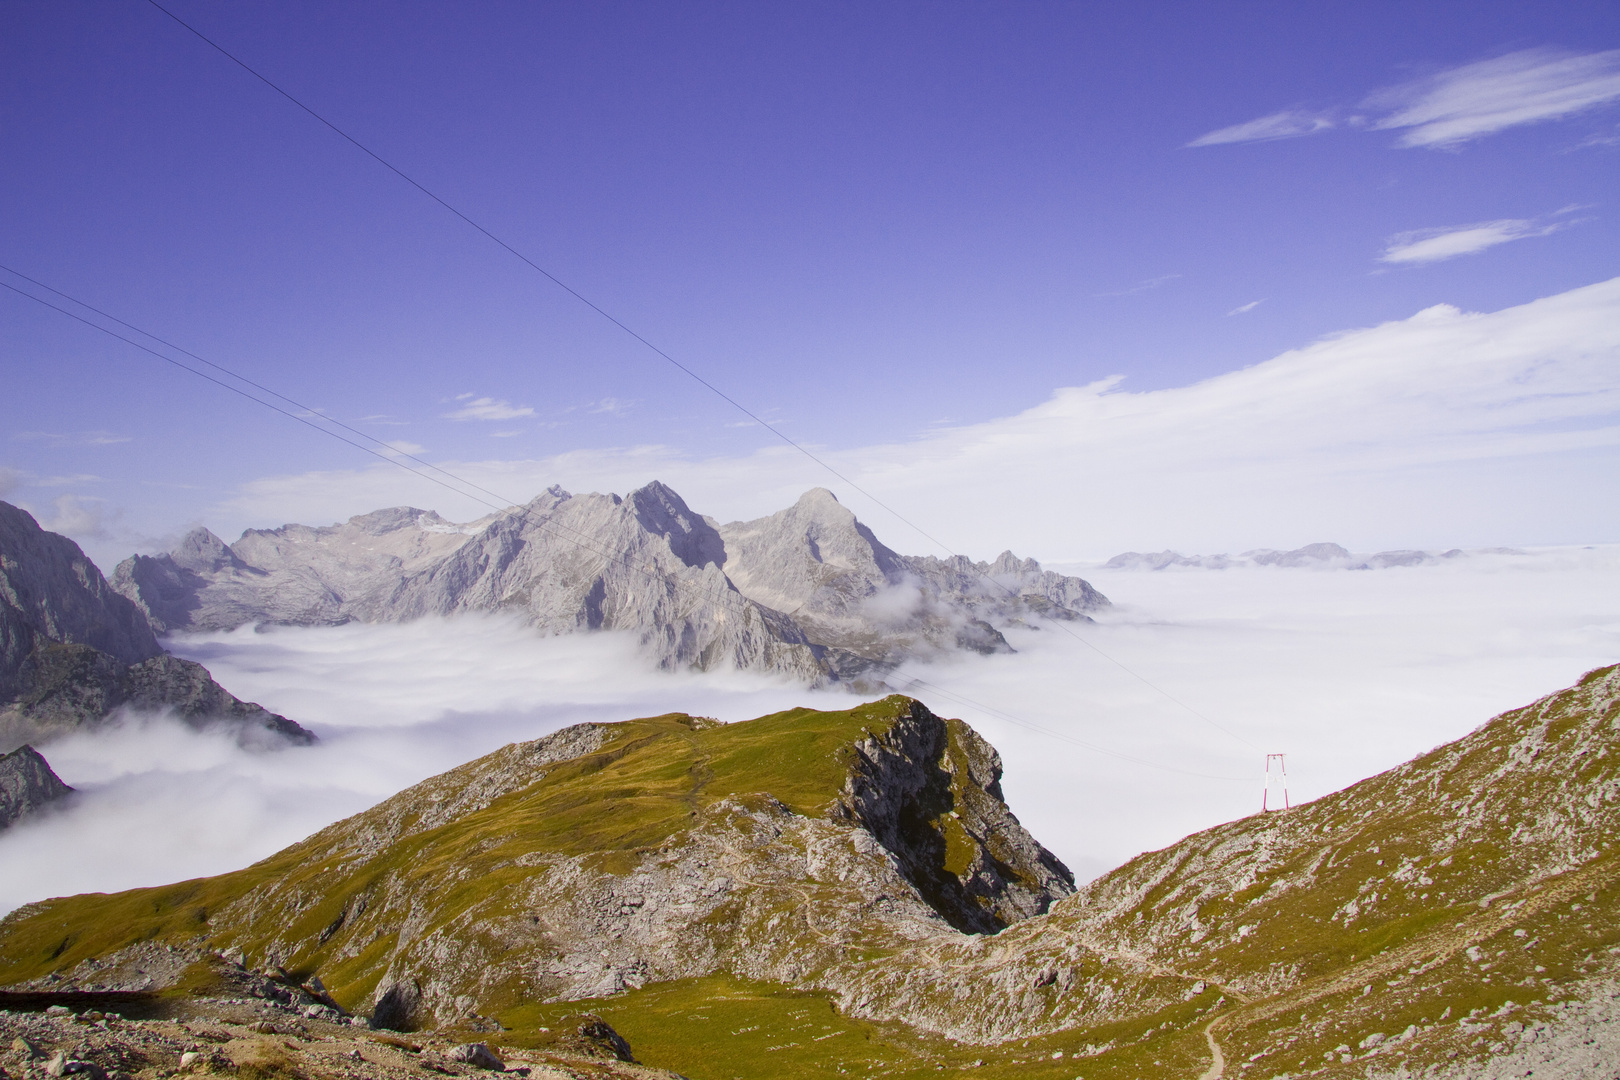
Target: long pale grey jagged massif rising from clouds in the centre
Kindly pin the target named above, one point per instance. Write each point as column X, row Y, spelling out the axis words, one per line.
column 809, row 592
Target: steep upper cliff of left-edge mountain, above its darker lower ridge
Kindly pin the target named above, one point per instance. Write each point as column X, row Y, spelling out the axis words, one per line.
column 51, row 592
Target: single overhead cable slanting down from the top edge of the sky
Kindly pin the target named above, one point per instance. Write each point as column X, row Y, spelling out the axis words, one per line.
column 671, row 360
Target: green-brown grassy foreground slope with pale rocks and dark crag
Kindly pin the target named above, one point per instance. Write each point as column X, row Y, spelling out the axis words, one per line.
column 793, row 898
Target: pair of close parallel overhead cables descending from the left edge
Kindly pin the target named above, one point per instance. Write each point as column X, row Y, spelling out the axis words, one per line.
column 522, row 511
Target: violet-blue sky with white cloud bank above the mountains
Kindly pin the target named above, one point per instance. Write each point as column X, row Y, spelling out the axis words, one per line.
column 872, row 224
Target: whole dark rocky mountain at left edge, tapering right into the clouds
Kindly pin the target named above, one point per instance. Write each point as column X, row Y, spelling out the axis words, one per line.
column 75, row 652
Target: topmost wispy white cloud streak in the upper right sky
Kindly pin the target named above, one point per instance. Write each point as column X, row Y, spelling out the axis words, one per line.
column 1462, row 104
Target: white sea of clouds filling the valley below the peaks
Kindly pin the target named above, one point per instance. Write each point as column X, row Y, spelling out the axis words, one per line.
column 1119, row 738
